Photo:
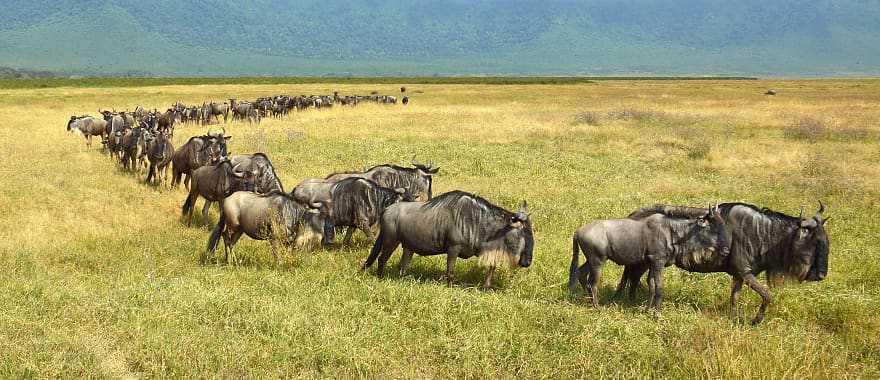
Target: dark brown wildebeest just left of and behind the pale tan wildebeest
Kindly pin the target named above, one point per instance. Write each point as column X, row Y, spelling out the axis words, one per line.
column 214, row 183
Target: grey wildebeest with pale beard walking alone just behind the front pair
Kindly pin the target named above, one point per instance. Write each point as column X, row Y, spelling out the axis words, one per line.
column 459, row 224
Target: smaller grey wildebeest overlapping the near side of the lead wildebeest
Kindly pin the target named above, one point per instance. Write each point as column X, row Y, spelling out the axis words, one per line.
column 654, row 242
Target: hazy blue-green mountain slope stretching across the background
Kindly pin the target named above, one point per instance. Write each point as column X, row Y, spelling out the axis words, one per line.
column 456, row 37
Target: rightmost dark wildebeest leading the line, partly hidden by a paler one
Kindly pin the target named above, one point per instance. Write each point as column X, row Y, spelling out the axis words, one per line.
column 760, row 240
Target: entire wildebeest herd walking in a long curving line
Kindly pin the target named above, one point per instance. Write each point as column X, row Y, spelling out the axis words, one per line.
column 739, row 239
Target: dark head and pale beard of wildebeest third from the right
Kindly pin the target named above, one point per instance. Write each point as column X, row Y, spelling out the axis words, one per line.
column 515, row 240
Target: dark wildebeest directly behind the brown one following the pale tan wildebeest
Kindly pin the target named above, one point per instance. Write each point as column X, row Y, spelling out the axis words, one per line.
column 195, row 153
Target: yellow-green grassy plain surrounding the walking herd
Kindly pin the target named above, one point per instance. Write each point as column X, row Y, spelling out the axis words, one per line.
column 101, row 278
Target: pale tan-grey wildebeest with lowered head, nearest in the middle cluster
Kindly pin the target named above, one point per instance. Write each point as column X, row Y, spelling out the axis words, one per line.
column 273, row 216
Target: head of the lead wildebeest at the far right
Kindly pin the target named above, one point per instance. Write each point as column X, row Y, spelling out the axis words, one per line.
column 809, row 251
